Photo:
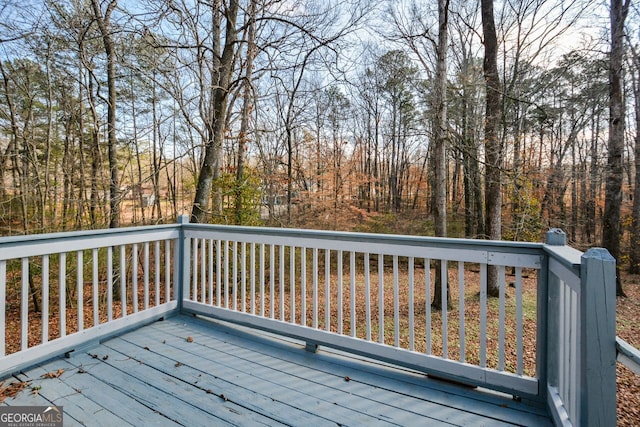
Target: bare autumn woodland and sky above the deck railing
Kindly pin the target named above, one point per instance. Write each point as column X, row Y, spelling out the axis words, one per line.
column 288, row 112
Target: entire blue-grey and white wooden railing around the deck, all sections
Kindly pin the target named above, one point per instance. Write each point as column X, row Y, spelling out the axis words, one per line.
column 363, row 293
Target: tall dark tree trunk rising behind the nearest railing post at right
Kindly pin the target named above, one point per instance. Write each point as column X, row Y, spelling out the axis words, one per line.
column 611, row 230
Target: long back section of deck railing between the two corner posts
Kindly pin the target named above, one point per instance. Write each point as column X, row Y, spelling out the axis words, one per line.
column 370, row 294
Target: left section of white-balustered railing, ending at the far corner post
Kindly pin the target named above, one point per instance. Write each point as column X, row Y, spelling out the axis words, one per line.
column 60, row 291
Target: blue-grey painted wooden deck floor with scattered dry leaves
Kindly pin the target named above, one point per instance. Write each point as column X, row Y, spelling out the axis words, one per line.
column 196, row 372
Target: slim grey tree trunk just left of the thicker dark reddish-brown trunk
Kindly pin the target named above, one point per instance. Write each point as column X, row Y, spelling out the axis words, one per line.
column 440, row 149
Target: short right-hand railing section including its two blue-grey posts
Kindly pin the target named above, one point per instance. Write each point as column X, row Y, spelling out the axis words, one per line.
column 581, row 352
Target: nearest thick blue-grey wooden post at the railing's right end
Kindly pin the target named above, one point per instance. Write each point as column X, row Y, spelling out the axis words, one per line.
column 598, row 338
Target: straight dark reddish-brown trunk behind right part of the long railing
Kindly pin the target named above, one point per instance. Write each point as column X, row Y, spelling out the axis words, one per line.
column 493, row 145
